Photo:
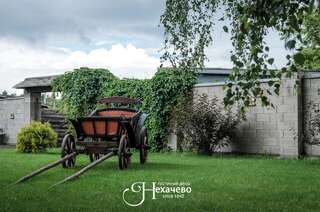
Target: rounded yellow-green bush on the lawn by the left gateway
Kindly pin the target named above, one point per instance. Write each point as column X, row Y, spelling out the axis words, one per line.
column 36, row 137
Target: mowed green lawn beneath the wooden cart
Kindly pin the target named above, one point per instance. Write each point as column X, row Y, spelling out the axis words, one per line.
column 219, row 183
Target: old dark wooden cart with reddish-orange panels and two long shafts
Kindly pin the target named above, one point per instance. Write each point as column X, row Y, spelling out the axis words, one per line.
column 113, row 130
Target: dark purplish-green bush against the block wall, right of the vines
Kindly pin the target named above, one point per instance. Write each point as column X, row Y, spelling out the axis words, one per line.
column 203, row 126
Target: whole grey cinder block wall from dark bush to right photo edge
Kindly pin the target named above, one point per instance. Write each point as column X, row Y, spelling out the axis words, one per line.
column 281, row 130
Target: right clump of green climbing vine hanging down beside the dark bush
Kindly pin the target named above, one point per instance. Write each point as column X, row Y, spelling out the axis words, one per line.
column 165, row 89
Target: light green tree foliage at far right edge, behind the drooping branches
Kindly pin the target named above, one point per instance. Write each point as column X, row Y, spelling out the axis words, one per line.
column 311, row 46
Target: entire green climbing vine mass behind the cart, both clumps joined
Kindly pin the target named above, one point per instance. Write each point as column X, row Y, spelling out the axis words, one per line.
column 81, row 89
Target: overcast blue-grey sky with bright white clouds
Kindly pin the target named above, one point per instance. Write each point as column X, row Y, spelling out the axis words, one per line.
column 44, row 37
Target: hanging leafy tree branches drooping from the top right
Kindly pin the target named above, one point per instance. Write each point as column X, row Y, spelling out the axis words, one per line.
column 189, row 25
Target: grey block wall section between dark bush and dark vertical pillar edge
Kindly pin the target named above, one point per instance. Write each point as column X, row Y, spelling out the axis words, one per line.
column 267, row 130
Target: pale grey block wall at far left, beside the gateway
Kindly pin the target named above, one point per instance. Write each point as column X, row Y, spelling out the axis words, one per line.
column 12, row 117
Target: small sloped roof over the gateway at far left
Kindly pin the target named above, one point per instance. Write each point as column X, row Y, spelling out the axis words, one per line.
column 34, row 82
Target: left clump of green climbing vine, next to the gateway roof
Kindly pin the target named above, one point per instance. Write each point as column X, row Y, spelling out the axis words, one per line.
column 80, row 90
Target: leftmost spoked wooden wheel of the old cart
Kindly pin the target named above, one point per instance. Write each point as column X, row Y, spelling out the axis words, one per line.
column 68, row 146
